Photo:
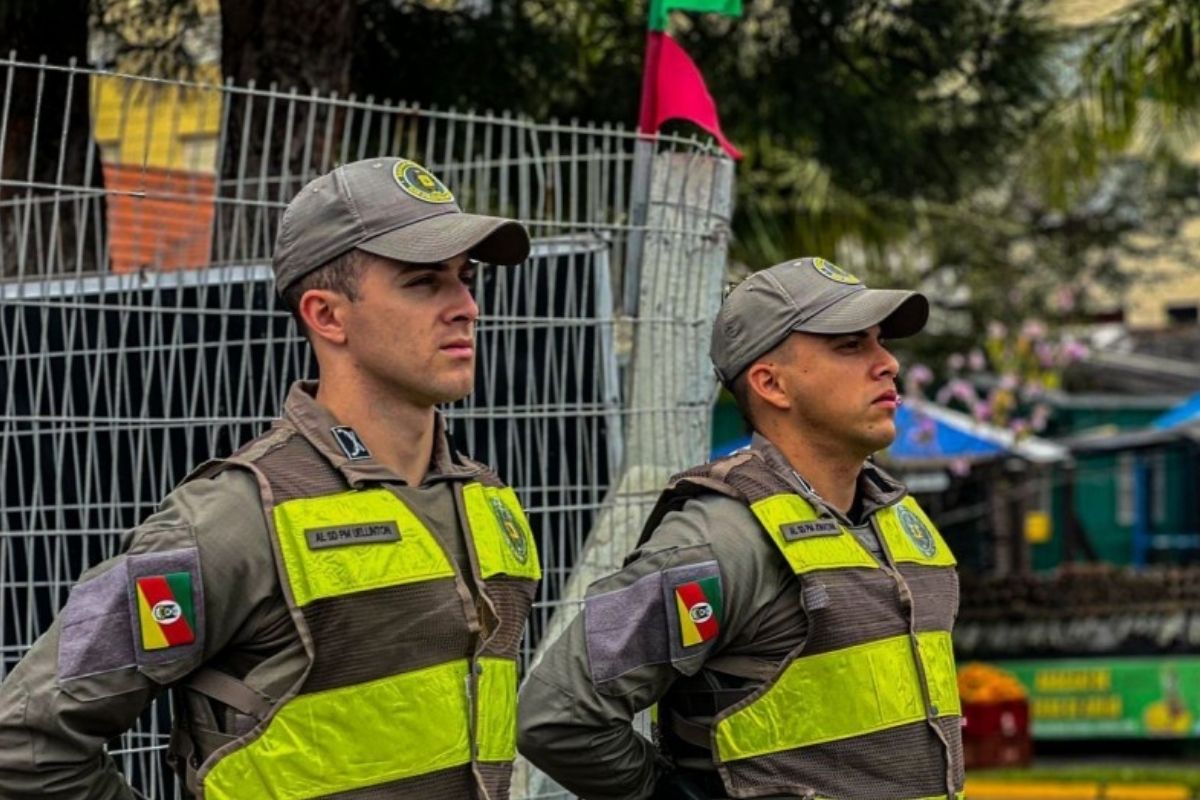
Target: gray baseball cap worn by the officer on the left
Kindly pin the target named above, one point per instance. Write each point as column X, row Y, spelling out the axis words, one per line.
column 393, row 208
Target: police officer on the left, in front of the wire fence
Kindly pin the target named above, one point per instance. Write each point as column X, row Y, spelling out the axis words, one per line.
column 338, row 606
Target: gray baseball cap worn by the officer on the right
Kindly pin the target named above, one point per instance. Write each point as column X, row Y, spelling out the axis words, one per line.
column 811, row 296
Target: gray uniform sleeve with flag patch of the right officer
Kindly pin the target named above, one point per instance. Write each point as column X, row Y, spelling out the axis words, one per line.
column 679, row 600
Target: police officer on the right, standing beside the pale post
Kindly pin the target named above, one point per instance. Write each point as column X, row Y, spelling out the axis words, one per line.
column 789, row 609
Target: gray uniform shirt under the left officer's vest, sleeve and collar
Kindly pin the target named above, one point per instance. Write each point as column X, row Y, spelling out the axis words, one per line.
column 75, row 690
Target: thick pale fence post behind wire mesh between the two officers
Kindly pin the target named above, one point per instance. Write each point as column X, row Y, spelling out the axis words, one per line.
column 679, row 292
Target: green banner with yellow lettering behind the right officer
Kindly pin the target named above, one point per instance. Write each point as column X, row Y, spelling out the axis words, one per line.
column 1112, row 697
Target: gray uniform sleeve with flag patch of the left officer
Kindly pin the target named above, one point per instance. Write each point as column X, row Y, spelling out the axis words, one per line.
column 131, row 627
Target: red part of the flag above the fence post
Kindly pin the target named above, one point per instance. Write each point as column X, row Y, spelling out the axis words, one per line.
column 674, row 89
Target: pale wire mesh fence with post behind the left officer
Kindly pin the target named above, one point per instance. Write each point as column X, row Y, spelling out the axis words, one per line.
column 140, row 334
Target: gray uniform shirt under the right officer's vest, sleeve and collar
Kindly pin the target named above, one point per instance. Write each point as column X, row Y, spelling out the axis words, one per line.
column 578, row 705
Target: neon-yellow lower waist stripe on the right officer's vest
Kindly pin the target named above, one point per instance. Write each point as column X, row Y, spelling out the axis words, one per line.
column 878, row 688
